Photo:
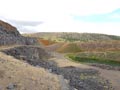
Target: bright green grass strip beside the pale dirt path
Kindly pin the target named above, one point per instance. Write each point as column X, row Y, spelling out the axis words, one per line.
column 93, row 60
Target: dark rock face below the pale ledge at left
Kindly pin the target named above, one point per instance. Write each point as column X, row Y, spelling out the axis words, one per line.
column 28, row 53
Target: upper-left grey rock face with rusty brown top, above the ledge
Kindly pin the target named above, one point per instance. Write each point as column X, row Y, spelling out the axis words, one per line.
column 9, row 35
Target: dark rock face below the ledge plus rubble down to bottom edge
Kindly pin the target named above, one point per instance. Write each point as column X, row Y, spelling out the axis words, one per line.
column 77, row 78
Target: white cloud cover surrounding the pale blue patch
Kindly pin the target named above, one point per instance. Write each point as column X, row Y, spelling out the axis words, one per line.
column 56, row 14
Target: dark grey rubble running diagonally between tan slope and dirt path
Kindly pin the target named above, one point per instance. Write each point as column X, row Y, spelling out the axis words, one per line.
column 77, row 78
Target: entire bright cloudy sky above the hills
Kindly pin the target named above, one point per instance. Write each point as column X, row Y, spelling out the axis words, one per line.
column 84, row 16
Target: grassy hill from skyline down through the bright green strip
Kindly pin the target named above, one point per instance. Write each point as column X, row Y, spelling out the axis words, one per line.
column 85, row 47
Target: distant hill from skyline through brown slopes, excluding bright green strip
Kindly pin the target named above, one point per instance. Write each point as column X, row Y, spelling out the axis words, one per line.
column 77, row 42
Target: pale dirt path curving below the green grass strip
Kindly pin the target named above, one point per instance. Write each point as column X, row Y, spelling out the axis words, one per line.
column 111, row 75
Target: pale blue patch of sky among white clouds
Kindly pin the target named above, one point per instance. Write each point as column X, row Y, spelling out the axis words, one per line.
column 113, row 16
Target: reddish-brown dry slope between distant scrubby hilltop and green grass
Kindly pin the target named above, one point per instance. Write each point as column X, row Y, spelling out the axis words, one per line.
column 73, row 47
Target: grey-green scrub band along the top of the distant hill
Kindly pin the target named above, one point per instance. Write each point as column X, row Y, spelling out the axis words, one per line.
column 85, row 37
